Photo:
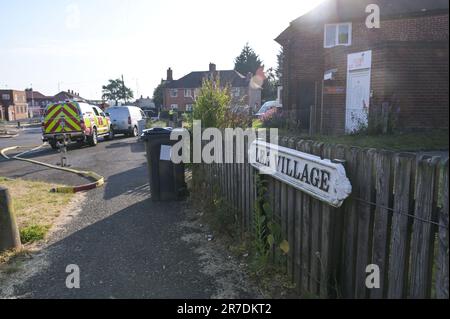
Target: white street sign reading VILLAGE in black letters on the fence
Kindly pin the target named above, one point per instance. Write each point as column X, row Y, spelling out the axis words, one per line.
column 322, row 179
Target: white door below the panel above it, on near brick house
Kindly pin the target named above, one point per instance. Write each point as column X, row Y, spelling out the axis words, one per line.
column 358, row 98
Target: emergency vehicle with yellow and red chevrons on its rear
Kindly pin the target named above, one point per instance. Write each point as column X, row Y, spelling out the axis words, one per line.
column 76, row 122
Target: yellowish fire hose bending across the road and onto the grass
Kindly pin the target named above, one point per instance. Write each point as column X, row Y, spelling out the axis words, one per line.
column 99, row 180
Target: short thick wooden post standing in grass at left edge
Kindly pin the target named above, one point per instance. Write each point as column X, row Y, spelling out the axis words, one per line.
column 9, row 233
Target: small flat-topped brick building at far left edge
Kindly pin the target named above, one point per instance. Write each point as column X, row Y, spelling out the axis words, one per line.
column 15, row 105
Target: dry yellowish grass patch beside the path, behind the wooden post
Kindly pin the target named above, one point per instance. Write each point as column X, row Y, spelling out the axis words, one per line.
column 35, row 207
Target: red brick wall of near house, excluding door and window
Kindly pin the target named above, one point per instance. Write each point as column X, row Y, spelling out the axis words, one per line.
column 409, row 67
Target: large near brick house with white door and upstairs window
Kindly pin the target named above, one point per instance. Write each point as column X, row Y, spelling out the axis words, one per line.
column 339, row 75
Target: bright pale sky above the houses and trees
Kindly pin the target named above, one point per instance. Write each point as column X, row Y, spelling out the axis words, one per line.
column 54, row 45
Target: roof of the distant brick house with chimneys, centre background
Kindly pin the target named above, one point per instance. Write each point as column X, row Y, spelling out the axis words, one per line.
column 195, row 79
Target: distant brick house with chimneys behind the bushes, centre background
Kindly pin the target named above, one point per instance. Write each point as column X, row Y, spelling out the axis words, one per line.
column 180, row 94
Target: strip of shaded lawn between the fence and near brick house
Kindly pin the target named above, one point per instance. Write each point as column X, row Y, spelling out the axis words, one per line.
column 403, row 142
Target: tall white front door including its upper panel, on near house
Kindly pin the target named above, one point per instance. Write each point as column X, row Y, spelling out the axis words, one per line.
column 358, row 91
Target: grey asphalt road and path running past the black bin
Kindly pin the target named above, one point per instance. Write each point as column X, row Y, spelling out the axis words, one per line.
column 125, row 245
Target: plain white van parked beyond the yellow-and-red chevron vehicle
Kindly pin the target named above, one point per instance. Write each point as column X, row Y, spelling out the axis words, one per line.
column 125, row 119
